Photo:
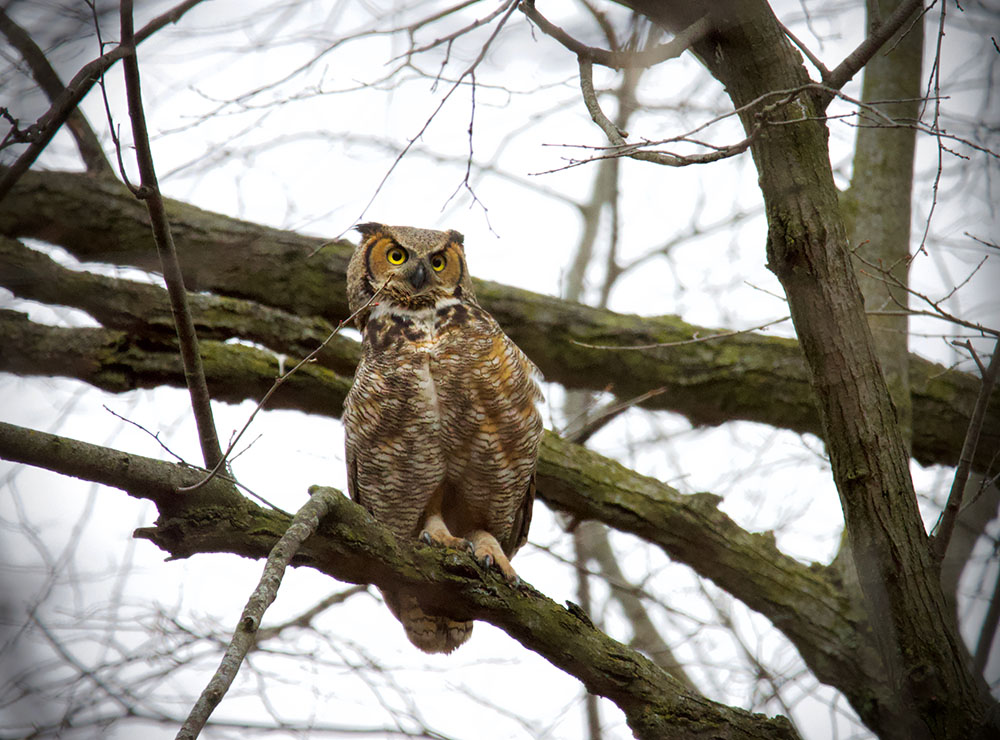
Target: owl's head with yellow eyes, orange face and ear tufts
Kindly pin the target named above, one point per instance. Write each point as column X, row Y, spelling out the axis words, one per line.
column 419, row 267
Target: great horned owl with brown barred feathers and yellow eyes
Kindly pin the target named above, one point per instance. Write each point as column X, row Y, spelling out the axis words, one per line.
column 441, row 423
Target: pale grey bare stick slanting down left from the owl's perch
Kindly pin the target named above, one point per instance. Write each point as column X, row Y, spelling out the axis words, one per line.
column 303, row 525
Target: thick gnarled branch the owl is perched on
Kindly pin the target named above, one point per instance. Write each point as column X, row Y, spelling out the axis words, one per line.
column 352, row 547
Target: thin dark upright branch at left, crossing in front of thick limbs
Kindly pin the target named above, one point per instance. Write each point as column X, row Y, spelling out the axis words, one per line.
column 149, row 191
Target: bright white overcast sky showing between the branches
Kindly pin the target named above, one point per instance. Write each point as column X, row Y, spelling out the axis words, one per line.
column 313, row 165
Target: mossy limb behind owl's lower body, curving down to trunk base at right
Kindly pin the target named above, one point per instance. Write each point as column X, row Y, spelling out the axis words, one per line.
column 801, row 601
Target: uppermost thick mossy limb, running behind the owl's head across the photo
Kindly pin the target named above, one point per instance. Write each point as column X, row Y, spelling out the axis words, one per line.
column 748, row 377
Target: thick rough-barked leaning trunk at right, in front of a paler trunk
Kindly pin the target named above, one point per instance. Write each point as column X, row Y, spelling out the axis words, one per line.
column 807, row 250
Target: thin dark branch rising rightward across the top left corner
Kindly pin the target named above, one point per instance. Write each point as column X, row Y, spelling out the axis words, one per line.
column 76, row 90
